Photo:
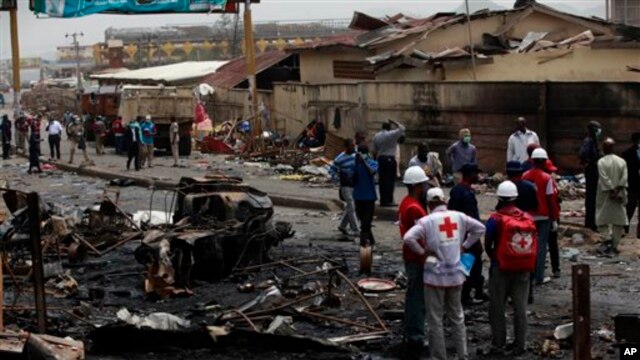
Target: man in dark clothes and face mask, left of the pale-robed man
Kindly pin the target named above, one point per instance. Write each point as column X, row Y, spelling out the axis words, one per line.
column 589, row 156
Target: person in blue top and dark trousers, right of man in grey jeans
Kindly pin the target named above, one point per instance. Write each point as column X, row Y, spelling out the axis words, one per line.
column 364, row 193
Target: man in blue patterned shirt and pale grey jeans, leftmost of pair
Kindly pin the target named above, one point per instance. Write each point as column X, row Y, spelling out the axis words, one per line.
column 342, row 170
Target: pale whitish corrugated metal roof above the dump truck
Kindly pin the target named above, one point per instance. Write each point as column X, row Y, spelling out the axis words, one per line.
column 166, row 73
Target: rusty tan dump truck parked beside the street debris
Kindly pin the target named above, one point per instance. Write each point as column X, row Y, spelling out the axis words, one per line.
column 162, row 103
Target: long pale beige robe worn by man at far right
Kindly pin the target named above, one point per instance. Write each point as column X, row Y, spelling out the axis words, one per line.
column 612, row 171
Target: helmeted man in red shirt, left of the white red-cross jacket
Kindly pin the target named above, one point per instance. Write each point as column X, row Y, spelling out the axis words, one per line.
column 413, row 208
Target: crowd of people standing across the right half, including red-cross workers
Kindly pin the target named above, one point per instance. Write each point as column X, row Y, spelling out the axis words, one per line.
column 442, row 247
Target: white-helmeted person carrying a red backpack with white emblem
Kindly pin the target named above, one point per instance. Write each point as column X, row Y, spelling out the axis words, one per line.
column 511, row 244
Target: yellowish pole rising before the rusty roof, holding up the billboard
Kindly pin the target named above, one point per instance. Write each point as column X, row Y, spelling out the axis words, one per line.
column 256, row 128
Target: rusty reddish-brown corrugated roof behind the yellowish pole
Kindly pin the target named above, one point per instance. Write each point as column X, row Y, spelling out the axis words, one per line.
column 234, row 72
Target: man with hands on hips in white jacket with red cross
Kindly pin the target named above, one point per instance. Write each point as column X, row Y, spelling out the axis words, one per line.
column 443, row 234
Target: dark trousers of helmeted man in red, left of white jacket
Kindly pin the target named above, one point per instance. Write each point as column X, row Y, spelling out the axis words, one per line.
column 414, row 307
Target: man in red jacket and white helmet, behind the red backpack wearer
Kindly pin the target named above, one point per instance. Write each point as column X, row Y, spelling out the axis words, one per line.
column 544, row 215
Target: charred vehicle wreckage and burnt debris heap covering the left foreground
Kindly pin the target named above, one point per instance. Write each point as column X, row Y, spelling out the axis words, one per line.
column 208, row 268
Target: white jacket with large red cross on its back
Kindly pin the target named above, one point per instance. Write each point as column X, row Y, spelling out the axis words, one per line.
column 444, row 232
